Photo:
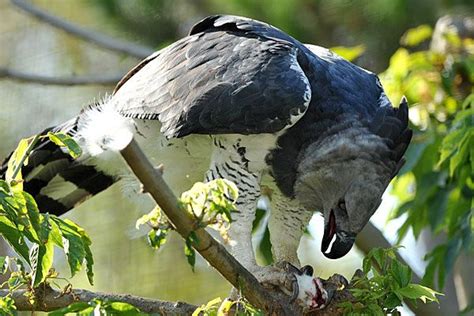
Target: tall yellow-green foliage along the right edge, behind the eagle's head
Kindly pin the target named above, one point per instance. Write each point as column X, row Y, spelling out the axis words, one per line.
column 436, row 185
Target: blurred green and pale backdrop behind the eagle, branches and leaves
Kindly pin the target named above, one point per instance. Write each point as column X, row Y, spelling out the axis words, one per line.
column 124, row 263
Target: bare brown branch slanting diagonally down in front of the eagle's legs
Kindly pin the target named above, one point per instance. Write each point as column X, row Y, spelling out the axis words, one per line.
column 207, row 246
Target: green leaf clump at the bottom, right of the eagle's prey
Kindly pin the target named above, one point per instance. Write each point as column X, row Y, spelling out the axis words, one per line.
column 383, row 285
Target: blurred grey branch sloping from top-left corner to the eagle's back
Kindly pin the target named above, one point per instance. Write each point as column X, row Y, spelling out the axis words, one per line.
column 102, row 40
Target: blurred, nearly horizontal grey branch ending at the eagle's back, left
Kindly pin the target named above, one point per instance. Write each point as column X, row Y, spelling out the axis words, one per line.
column 60, row 81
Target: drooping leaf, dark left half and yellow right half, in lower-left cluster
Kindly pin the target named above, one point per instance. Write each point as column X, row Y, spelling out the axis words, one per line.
column 41, row 258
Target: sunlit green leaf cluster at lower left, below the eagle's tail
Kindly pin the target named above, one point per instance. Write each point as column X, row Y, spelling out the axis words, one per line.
column 34, row 235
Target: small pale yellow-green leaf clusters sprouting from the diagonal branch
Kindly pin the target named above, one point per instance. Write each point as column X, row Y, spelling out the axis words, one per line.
column 210, row 204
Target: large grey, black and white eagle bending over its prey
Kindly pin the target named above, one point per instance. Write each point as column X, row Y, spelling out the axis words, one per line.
column 241, row 100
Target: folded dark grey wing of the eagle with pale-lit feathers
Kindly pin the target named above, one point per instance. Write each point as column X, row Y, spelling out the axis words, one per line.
column 220, row 79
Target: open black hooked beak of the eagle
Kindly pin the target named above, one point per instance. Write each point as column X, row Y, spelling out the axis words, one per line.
column 342, row 241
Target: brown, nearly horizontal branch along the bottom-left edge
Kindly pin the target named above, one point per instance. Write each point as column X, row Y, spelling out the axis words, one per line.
column 48, row 299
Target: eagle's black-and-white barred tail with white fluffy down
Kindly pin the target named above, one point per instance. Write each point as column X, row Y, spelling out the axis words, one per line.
column 59, row 182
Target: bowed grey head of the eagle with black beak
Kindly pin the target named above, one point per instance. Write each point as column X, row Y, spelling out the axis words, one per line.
column 344, row 175
